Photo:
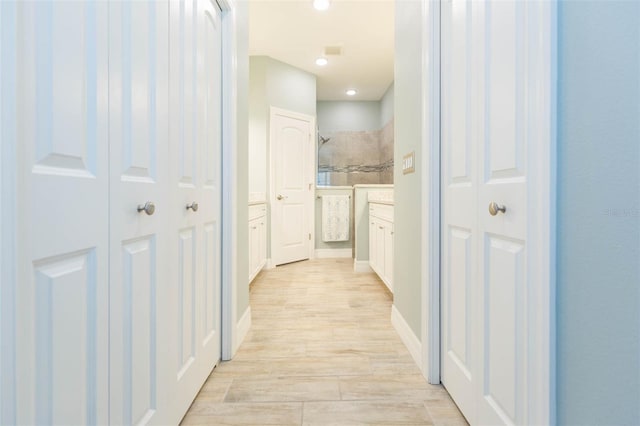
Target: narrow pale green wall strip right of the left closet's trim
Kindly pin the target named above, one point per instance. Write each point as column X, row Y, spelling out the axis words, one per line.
column 242, row 256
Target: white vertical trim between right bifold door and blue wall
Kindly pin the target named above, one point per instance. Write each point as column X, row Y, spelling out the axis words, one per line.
column 541, row 192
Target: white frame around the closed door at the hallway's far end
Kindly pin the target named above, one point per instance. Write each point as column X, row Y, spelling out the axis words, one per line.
column 311, row 166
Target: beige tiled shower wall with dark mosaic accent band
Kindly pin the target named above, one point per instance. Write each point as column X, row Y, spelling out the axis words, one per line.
column 356, row 157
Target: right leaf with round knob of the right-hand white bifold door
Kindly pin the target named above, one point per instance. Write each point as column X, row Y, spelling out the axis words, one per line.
column 503, row 244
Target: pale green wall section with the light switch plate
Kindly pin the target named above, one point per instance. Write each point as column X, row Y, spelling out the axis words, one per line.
column 408, row 254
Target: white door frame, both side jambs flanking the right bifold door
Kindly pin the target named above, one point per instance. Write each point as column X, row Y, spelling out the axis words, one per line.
column 541, row 387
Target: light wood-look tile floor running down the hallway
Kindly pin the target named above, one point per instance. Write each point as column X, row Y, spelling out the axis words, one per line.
column 321, row 351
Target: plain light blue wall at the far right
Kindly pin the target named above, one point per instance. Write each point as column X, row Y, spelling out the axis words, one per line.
column 598, row 247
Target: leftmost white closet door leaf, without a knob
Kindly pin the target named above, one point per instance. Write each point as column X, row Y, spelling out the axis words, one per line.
column 61, row 299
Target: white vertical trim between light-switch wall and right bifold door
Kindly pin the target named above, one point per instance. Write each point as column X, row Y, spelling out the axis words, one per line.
column 431, row 210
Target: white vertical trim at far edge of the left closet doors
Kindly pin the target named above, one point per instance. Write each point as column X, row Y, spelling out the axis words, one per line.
column 229, row 178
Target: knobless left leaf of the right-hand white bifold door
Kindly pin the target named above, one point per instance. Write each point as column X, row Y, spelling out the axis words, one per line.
column 459, row 207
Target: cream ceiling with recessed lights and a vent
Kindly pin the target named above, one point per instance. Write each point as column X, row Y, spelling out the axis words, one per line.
column 292, row 31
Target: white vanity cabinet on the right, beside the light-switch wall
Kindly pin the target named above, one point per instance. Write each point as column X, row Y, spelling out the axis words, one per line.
column 381, row 241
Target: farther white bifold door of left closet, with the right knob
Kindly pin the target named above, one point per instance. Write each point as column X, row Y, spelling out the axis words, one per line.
column 195, row 186
